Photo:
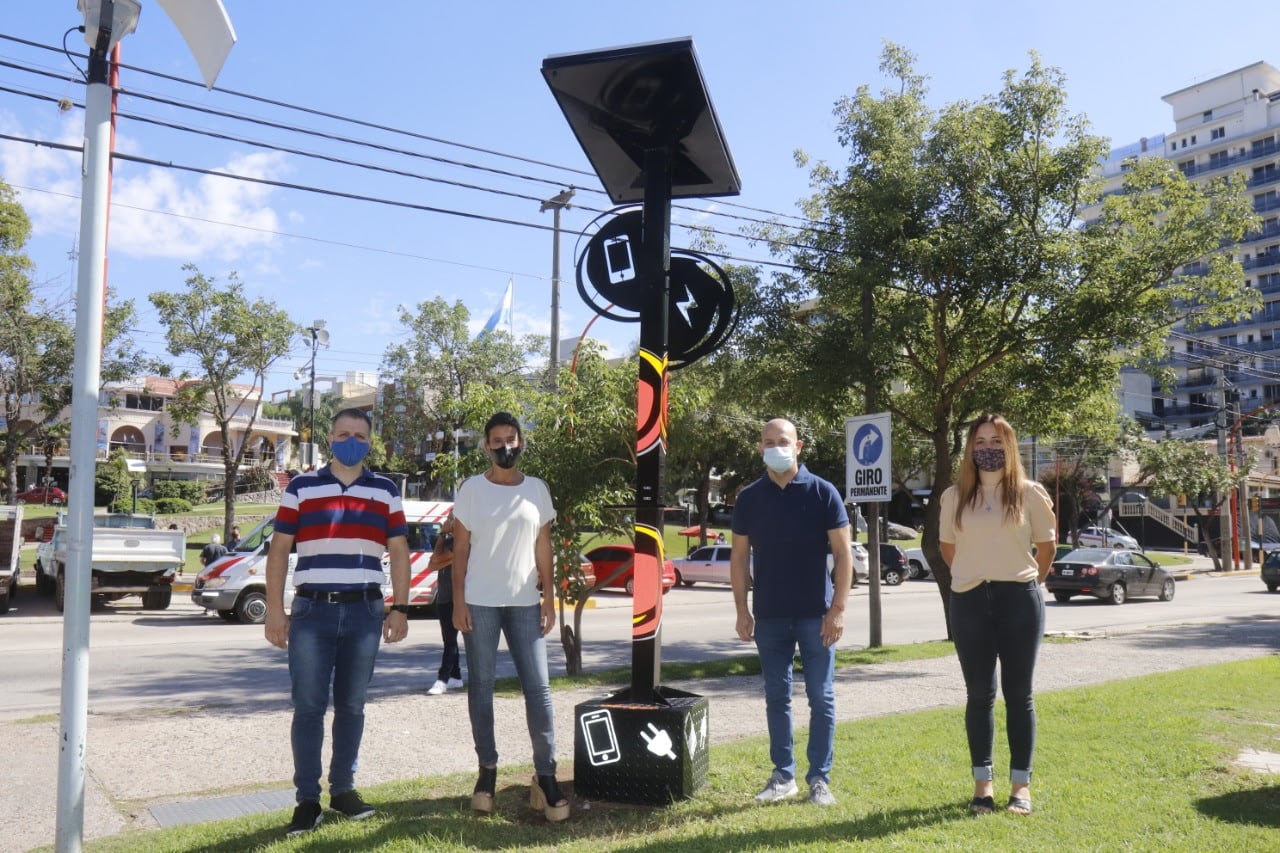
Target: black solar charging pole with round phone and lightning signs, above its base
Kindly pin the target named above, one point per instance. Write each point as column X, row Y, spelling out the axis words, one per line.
column 644, row 120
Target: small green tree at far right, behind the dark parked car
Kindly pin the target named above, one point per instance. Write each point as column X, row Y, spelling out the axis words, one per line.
column 1191, row 469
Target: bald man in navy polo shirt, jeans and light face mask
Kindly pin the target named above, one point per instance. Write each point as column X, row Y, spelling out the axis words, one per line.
column 783, row 527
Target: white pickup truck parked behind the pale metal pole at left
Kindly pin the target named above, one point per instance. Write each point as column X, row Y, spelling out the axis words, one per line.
column 130, row 558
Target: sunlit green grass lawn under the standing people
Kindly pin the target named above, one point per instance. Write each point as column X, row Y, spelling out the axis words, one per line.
column 1136, row 765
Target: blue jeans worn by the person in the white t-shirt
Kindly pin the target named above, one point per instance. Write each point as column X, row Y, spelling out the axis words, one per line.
column 523, row 630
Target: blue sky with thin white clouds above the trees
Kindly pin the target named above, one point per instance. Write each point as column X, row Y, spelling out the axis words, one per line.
column 469, row 74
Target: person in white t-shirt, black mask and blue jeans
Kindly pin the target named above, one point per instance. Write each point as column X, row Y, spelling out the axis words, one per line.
column 502, row 554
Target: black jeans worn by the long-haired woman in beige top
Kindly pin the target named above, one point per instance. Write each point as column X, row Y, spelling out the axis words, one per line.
column 999, row 622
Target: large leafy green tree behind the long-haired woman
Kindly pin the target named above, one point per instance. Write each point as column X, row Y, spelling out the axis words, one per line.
column 954, row 236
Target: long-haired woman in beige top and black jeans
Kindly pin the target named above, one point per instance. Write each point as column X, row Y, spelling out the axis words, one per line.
column 998, row 533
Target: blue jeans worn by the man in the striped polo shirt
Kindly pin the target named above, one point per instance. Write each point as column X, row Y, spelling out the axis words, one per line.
column 335, row 644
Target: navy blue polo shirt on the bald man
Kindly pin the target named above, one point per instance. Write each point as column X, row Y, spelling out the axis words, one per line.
column 788, row 531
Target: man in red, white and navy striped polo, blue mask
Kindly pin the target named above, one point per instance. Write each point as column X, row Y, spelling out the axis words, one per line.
column 342, row 519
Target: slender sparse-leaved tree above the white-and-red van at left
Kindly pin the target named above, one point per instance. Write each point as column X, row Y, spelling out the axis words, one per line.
column 228, row 337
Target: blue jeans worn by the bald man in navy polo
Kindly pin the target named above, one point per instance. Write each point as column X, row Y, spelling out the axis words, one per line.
column 778, row 641
